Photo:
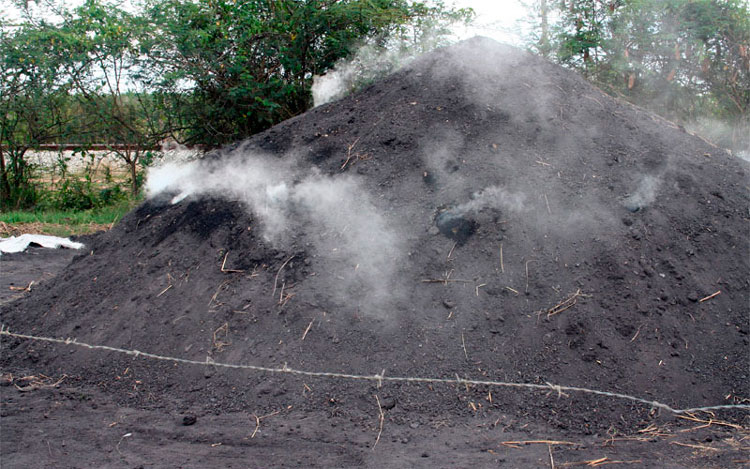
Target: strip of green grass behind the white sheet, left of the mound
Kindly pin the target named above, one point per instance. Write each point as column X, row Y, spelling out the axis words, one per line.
column 61, row 222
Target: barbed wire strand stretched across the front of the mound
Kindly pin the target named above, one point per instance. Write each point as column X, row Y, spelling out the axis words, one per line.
column 379, row 378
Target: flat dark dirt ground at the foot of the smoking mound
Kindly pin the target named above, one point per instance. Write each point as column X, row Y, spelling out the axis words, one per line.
column 63, row 422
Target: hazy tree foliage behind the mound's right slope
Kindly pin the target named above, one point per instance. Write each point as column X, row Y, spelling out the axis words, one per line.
column 686, row 59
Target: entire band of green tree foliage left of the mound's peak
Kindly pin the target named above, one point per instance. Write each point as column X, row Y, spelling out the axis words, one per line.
column 206, row 72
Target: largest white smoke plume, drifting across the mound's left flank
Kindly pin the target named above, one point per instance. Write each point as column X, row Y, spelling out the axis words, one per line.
column 354, row 245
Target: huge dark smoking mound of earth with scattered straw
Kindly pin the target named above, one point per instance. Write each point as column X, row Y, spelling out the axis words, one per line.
column 480, row 213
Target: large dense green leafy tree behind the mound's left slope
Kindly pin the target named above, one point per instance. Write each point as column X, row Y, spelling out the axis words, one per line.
column 235, row 68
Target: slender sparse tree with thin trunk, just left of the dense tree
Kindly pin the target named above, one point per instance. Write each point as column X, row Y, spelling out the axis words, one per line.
column 107, row 70
